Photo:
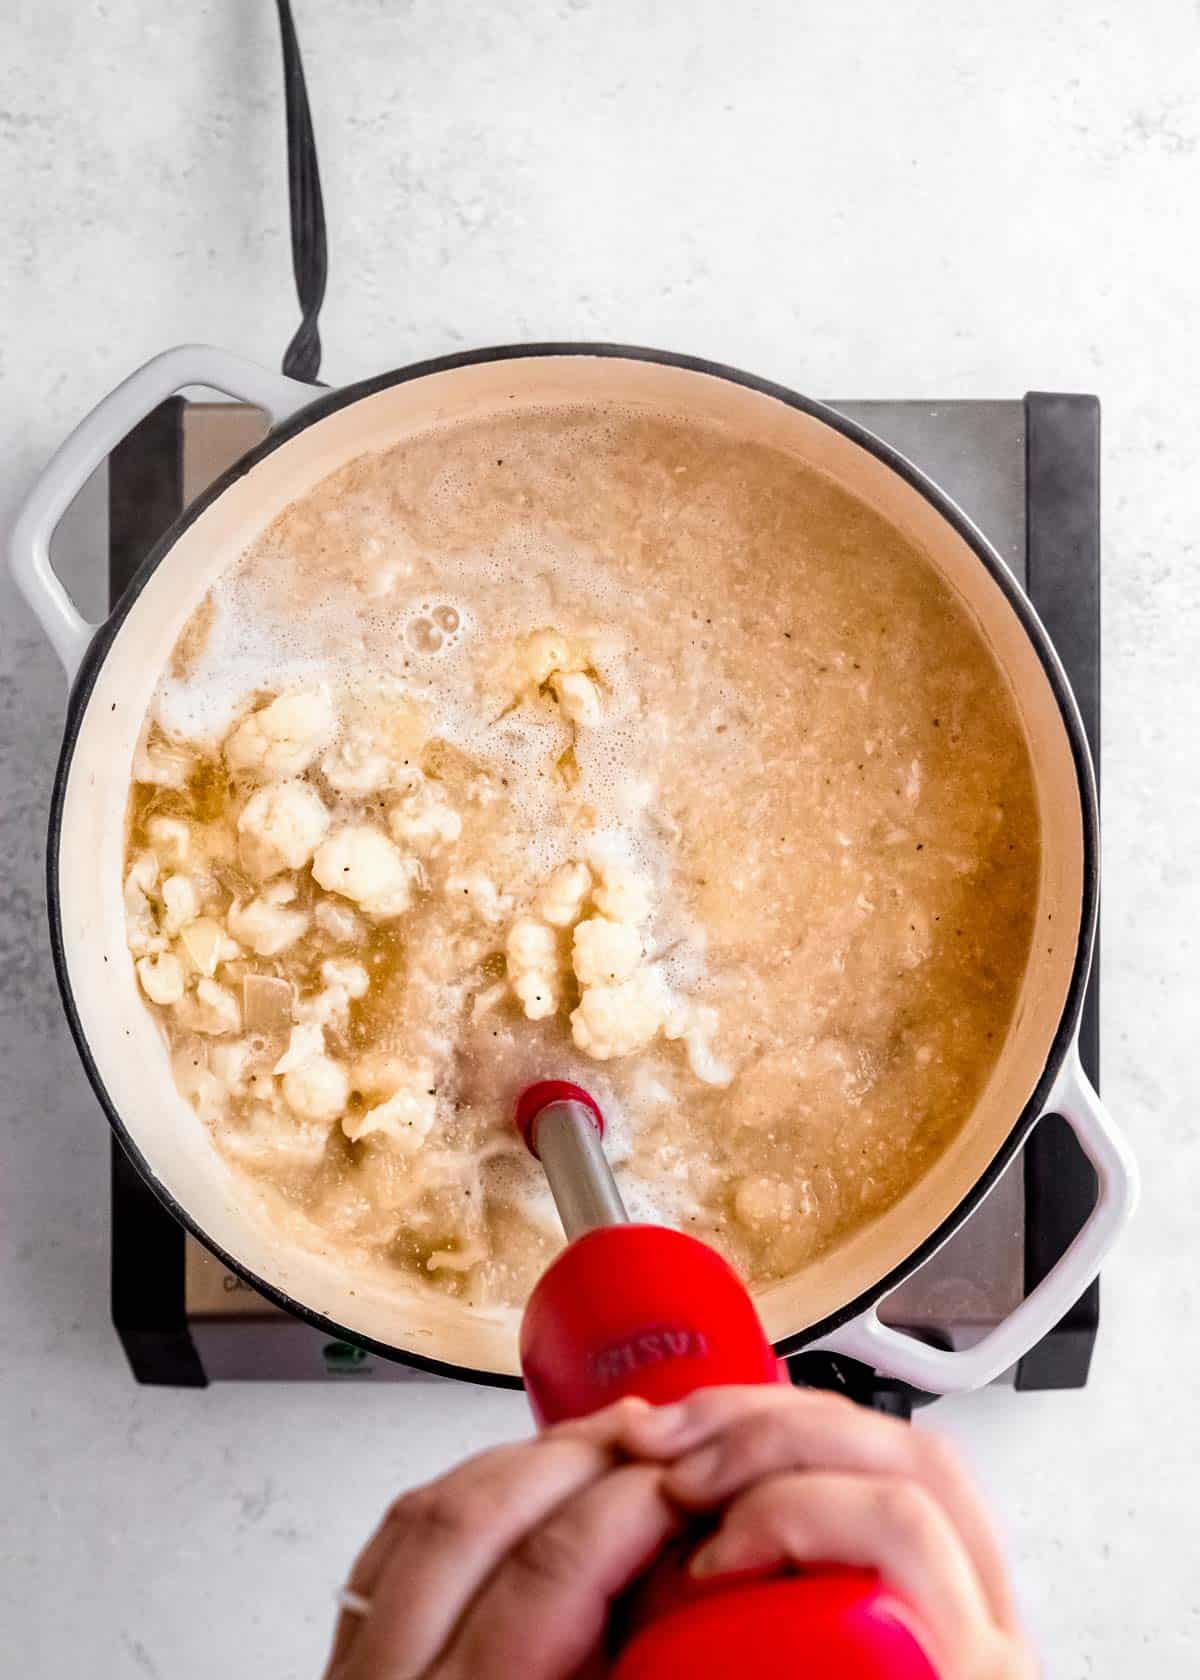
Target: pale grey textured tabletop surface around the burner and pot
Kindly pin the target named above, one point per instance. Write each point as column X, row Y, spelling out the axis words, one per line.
column 865, row 201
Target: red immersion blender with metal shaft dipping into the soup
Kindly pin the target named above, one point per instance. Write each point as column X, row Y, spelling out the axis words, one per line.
column 645, row 1310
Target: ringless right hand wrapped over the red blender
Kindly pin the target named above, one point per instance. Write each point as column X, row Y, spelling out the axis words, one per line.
column 804, row 1478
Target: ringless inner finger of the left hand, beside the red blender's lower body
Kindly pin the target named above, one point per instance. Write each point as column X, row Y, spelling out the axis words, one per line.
column 545, row 1610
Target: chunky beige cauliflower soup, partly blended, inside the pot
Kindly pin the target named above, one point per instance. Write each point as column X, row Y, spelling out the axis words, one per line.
column 594, row 745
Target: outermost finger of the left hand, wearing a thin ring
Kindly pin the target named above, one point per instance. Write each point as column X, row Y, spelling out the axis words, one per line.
column 441, row 1543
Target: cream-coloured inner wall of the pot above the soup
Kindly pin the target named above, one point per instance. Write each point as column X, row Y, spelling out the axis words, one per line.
column 125, row 1041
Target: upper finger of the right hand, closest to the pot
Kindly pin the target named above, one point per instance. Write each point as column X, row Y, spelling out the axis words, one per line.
column 734, row 1437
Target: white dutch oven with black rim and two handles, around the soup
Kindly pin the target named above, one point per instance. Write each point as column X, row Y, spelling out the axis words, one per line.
column 115, row 666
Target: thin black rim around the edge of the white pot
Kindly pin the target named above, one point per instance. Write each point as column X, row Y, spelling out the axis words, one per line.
column 344, row 397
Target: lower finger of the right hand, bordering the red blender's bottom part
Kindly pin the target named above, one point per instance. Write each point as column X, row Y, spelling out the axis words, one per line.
column 876, row 1523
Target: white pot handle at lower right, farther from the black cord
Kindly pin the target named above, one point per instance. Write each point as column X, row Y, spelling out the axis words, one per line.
column 942, row 1372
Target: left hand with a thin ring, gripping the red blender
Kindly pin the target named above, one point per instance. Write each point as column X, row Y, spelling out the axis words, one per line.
column 510, row 1563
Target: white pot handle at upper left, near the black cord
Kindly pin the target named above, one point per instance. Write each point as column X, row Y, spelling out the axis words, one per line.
column 93, row 441
